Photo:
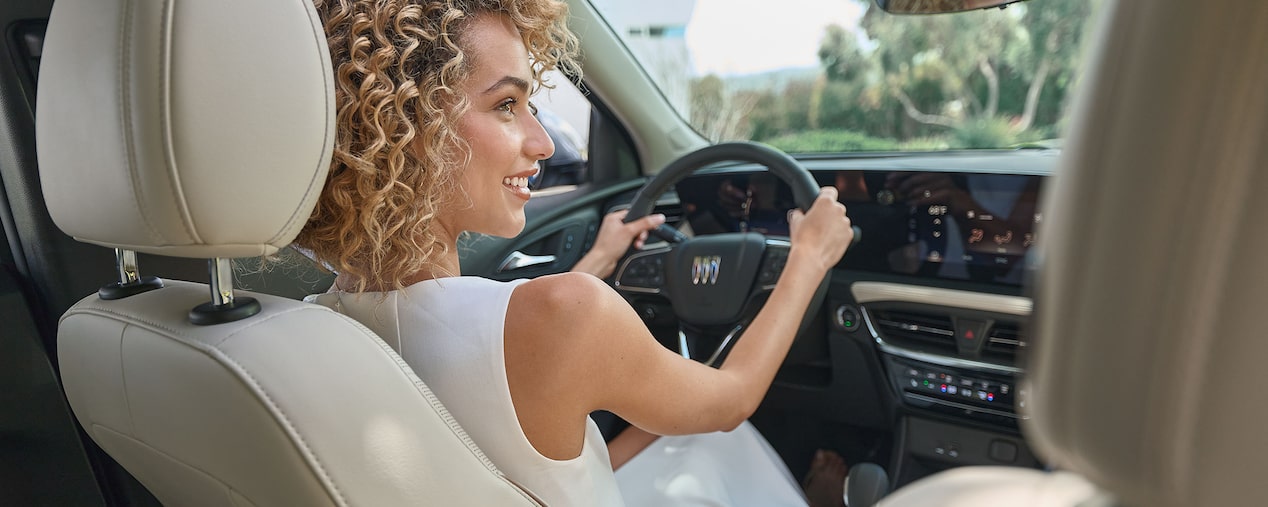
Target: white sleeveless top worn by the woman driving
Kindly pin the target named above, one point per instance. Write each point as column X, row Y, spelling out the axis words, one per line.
column 451, row 333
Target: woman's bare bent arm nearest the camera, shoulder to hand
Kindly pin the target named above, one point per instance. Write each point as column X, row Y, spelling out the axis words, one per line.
column 574, row 347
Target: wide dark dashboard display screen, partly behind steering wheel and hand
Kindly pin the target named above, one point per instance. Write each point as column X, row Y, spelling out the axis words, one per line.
column 939, row 225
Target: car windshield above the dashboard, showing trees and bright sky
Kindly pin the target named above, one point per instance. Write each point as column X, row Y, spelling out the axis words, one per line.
column 843, row 75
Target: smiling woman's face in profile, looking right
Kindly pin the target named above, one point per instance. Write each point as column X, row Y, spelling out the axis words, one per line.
column 507, row 141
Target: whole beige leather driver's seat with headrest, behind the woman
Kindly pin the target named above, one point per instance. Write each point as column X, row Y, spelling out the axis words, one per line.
column 204, row 130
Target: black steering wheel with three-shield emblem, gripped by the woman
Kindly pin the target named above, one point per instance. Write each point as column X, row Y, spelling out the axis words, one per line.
column 713, row 281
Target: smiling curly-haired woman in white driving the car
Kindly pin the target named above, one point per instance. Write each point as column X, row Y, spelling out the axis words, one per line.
column 437, row 138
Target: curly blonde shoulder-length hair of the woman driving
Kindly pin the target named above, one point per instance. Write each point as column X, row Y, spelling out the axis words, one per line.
column 398, row 151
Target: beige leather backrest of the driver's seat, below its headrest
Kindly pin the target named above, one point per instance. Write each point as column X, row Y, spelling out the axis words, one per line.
column 297, row 406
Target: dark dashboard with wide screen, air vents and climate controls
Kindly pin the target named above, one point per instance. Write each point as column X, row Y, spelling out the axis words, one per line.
column 921, row 334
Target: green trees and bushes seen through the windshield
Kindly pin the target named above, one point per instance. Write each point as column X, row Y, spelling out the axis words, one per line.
column 972, row 80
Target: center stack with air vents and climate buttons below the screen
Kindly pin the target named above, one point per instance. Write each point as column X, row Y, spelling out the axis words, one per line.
column 950, row 361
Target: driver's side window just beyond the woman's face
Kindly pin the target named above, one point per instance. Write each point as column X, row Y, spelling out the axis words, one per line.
column 565, row 113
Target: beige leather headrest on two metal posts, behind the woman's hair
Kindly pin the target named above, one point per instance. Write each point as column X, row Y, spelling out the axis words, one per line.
column 184, row 129
